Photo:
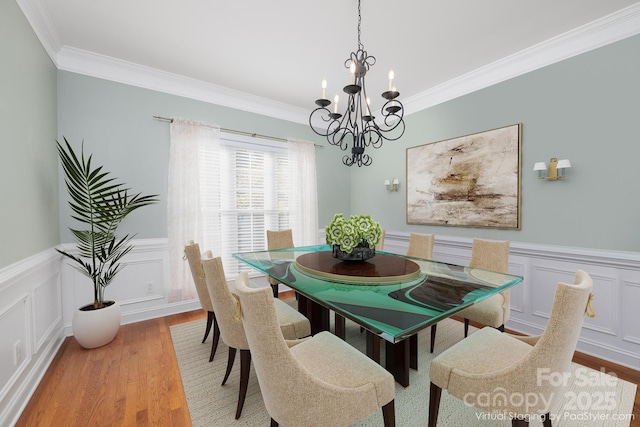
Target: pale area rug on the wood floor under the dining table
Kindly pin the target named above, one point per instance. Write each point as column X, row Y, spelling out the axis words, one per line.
column 590, row 397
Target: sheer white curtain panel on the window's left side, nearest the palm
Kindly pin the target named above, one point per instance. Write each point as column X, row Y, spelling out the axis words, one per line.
column 184, row 214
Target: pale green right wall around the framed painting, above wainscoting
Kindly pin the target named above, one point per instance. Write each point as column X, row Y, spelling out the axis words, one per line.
column 585, row 108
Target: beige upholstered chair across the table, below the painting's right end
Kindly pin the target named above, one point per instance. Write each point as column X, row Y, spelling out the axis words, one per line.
column 494, row 311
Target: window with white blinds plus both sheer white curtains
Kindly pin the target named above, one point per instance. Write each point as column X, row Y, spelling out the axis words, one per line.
column 225, row 191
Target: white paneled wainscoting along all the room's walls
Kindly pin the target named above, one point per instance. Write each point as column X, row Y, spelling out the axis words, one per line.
column 39, row 295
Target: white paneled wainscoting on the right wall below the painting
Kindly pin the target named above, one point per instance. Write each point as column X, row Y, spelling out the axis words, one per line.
column 614, row 334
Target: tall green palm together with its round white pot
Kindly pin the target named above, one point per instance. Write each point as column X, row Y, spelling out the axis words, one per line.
column 100, row 204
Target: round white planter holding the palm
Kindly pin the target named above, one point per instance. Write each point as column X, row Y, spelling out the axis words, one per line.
column 95, row 328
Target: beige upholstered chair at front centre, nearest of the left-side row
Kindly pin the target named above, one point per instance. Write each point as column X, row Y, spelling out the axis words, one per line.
column 318, row 381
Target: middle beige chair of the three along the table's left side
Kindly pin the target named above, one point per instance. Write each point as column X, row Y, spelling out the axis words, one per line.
column 290, row 323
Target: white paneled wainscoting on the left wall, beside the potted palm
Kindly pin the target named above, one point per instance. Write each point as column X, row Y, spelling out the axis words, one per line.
column 30, row 327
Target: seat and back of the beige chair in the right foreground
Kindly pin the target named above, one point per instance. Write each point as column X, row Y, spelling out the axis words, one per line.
column 536, row 374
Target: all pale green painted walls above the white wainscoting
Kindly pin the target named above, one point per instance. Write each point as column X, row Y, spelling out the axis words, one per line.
column 583, row 108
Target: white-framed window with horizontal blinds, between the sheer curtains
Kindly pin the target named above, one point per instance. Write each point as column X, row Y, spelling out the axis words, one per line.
column 251, row 198
